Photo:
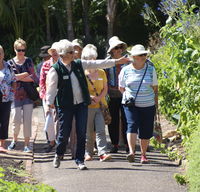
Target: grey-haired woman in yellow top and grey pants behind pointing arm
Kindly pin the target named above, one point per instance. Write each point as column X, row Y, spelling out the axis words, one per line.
column 97, row 85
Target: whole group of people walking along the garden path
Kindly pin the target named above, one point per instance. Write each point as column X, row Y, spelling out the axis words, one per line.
column 73, row 87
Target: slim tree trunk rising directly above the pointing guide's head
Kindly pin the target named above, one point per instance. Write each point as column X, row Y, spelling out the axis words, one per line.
column 70, row 29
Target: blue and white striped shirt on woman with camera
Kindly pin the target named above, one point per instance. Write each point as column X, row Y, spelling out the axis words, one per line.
column 129, row 78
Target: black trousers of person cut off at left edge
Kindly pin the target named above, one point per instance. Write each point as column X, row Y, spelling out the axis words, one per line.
column 4, row 119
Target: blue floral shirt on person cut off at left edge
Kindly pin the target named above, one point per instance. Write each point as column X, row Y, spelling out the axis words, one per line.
column 6, row 83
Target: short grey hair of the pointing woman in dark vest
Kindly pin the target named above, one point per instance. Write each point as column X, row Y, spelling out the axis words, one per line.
column 64, row 47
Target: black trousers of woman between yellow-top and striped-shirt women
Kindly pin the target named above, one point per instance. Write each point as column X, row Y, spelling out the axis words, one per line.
column 117, row 114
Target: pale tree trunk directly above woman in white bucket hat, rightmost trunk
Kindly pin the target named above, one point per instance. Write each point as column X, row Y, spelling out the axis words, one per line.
column 111, row 12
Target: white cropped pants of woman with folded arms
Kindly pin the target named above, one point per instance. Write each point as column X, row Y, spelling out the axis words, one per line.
column 25, row 113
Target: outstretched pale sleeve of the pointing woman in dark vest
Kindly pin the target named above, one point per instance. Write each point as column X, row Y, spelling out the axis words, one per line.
column 98, row 64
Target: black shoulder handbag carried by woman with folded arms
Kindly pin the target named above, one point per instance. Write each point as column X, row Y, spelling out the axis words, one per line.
column 29, row 87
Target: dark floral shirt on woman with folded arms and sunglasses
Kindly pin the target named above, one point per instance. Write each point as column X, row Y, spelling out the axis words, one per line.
column 21, row 97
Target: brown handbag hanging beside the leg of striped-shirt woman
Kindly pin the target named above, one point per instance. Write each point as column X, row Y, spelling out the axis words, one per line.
column 157, row 130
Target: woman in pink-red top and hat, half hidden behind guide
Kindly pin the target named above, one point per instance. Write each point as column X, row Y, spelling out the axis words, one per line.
column 50, row 121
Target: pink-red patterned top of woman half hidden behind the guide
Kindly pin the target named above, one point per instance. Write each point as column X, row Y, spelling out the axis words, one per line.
column 43, row 75
